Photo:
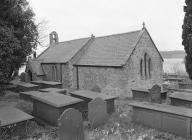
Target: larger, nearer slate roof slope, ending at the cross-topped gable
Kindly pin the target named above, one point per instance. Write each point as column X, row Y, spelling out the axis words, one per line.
column 112, row 50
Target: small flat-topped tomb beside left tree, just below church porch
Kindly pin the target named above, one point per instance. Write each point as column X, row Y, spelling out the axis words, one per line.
column 22, row 86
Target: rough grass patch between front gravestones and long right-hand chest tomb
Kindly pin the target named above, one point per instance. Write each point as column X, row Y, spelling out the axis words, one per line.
column 121, row 127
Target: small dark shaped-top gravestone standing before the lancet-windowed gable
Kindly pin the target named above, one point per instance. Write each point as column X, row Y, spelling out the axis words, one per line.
column 155, row 94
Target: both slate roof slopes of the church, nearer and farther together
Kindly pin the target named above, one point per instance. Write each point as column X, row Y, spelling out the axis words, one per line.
column 112, row 50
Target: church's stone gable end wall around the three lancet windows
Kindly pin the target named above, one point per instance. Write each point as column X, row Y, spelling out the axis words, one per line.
column 132, row 68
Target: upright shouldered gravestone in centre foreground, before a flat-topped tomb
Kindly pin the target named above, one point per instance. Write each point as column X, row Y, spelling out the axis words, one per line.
column 97, row 112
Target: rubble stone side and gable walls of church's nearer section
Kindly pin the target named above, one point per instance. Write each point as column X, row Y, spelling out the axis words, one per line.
column 119, row 81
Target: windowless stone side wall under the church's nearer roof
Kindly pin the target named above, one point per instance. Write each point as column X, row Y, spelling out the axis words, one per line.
column 101, row 77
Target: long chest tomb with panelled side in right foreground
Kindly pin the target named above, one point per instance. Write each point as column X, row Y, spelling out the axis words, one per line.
column 164, row 117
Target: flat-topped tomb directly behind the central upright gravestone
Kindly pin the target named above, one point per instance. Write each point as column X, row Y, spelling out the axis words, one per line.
column 87, row 96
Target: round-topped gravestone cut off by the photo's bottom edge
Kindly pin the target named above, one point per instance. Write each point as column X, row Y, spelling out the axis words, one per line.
column 71, row 125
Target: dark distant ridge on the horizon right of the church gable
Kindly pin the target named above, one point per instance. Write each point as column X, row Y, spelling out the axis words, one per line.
column 173, row 54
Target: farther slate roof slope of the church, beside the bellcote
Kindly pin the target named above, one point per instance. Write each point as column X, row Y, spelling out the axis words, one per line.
column 62, row 52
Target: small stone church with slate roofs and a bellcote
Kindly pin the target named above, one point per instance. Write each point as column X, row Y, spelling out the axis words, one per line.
column 112, row 64
